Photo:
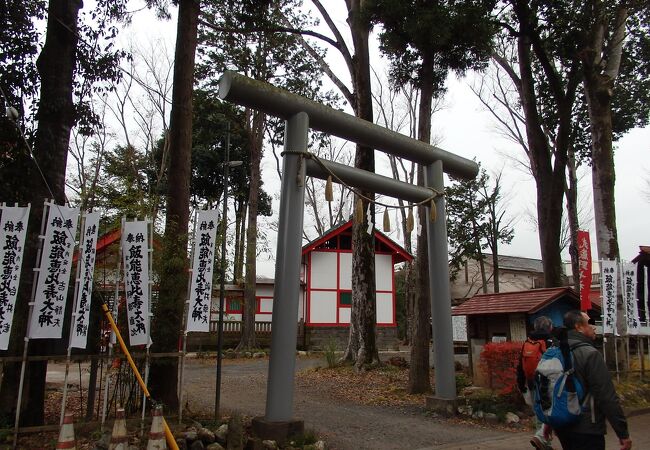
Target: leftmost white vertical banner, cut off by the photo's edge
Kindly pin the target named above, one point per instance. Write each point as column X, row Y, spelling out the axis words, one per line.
column 13, row 229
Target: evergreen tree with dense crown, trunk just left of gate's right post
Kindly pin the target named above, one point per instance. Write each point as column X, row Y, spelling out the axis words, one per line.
column 424, row 41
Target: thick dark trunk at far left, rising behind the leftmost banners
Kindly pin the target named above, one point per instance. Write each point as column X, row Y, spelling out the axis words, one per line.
column 55, row 116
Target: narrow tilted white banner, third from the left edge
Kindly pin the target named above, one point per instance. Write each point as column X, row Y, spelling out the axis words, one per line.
column 87, row 254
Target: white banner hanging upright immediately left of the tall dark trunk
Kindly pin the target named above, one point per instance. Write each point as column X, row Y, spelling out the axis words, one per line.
column 136, row 277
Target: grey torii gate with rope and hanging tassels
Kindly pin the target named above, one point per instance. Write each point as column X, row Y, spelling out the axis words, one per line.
column 300, row 115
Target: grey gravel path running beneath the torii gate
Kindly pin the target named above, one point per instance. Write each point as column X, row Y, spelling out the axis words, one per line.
column 345, row 426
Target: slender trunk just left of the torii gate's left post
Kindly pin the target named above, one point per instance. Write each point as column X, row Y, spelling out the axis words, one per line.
column 247, row 340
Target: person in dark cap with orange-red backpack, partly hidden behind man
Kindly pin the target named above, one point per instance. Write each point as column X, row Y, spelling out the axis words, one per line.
column 531, row 352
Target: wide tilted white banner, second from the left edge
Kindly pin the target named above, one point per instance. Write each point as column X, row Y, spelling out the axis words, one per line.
column 54, row 272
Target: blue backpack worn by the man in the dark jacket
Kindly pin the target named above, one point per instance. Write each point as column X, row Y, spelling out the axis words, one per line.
column 558, row 395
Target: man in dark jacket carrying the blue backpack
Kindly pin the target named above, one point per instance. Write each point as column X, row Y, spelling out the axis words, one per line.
column 601, row 401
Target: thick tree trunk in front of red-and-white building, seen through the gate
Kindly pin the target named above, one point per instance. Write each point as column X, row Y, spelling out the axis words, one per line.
column 362, row 345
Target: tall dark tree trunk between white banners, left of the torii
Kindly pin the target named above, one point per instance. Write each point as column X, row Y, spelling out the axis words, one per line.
column 168, row 310
